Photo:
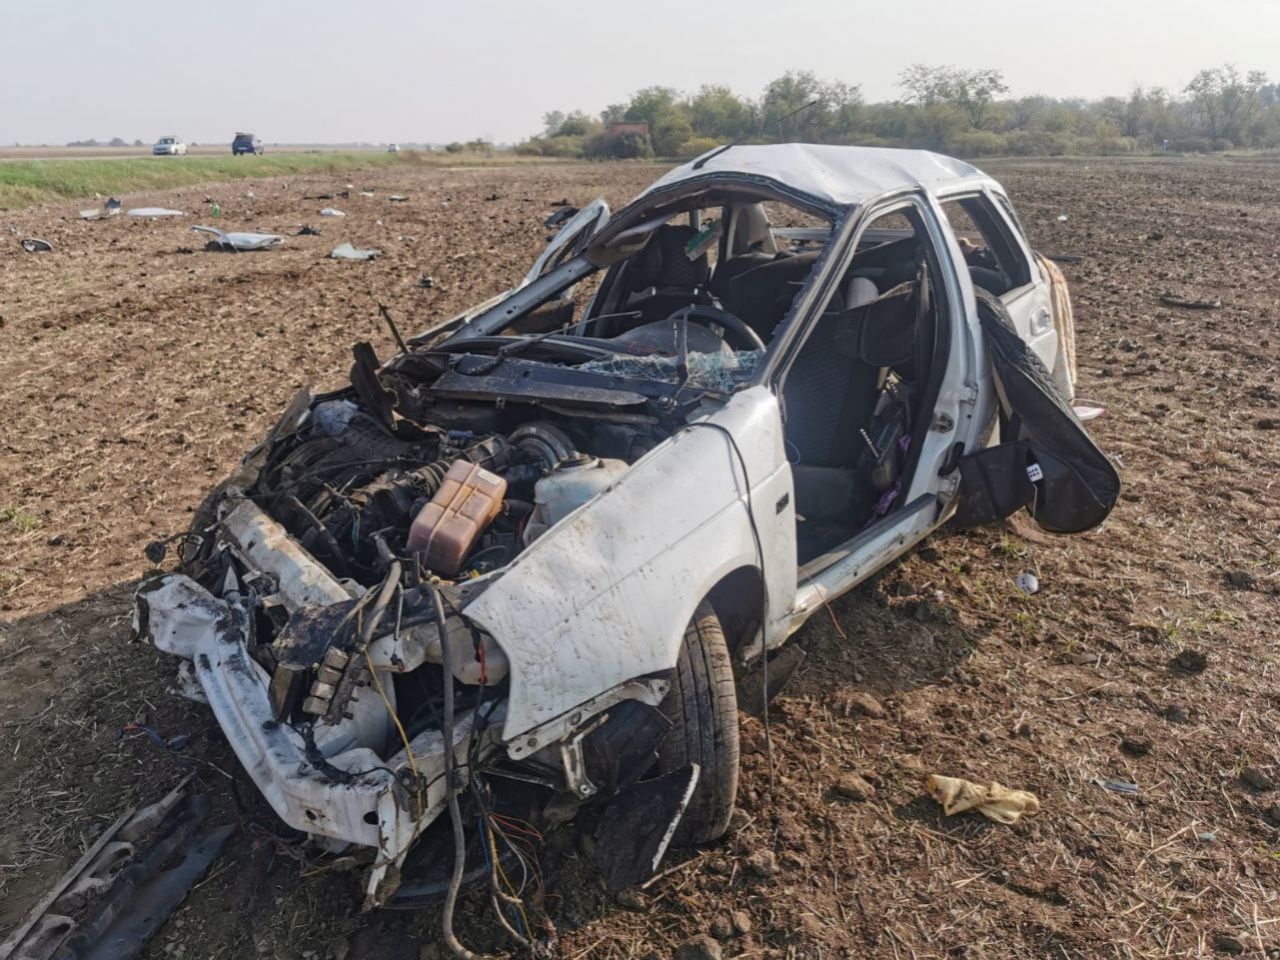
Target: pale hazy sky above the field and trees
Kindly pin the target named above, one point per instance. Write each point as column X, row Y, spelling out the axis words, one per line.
column 331, row 71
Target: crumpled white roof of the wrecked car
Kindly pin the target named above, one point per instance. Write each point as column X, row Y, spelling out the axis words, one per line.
column 834, row 176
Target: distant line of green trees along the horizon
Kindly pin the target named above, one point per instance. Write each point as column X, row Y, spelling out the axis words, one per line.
column 949, row 109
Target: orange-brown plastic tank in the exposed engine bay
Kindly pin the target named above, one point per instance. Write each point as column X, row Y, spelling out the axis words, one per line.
column 447, row 528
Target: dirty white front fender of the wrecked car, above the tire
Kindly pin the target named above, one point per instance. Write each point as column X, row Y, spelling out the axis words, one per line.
column 606, row 596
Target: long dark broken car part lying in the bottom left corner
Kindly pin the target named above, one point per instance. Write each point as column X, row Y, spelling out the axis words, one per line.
column 125, row 886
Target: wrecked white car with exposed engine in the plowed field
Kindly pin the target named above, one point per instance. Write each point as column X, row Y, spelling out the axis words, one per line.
column 515, row 570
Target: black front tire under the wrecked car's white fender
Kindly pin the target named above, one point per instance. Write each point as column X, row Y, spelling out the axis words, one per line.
column 702, row 707
